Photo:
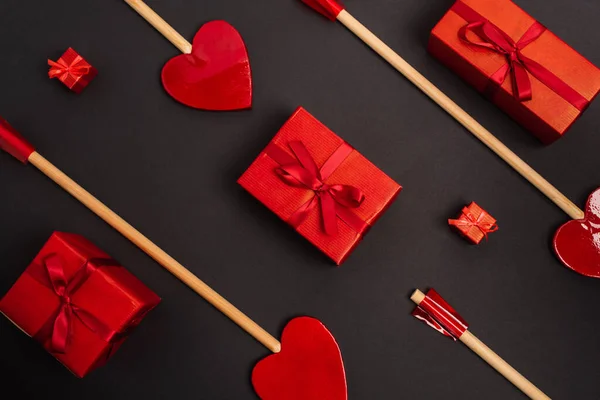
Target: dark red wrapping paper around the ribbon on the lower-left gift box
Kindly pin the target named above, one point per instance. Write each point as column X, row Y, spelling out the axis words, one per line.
column 111, row 294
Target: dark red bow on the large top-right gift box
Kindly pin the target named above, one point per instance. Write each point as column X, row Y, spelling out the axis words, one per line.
column 518, row 65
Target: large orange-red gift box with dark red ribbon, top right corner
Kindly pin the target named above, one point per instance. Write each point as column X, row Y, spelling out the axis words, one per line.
column 518, row 63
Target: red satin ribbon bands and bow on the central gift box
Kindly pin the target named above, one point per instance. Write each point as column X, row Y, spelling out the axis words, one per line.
column 335, row 200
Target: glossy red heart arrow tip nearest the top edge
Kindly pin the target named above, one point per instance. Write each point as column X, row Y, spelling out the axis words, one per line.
column 216, row 75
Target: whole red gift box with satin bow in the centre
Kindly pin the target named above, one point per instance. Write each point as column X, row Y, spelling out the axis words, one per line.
column 320, row 185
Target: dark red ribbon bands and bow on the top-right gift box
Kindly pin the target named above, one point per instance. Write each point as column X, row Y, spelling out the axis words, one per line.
column 518, row 66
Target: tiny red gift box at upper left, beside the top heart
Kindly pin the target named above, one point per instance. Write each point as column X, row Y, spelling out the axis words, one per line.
column 72, row 70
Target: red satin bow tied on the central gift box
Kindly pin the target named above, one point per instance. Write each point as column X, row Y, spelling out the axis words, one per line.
column 306, row 174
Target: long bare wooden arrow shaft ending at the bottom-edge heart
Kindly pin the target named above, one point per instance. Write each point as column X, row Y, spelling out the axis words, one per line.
column 155, row 252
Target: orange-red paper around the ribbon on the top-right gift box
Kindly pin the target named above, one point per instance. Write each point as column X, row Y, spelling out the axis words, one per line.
column 547, row 115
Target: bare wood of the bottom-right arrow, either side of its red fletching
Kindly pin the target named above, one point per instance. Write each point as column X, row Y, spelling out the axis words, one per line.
column 493, row 359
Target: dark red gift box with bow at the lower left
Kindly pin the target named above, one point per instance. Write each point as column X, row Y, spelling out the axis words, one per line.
column 77, row 302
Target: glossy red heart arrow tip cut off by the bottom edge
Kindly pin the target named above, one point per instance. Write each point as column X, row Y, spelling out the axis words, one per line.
column 309, row 366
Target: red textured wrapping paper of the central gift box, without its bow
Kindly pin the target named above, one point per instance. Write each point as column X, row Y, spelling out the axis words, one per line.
column 263, row 180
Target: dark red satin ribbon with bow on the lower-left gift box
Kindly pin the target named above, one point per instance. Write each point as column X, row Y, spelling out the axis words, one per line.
column 59, row 326
